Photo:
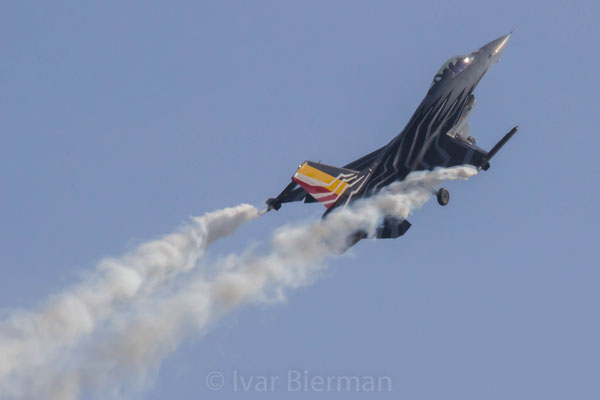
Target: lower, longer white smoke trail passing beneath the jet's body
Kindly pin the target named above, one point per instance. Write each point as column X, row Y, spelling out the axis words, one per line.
column 132, row 344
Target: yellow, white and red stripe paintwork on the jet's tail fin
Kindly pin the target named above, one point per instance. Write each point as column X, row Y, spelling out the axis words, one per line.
column 323, row 187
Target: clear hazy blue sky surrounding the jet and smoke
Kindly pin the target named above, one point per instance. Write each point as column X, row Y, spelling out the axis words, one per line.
column 120, row 119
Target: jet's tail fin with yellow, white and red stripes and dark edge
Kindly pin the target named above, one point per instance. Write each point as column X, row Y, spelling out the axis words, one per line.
column 324, row 182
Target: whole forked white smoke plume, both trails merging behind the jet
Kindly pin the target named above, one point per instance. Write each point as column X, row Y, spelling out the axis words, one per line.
column 110, row 333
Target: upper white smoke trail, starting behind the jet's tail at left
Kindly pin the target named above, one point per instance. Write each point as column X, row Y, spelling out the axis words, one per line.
column 29, row 340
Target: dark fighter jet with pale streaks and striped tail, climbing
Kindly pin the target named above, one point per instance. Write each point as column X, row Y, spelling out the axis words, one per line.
column 437, row 135
